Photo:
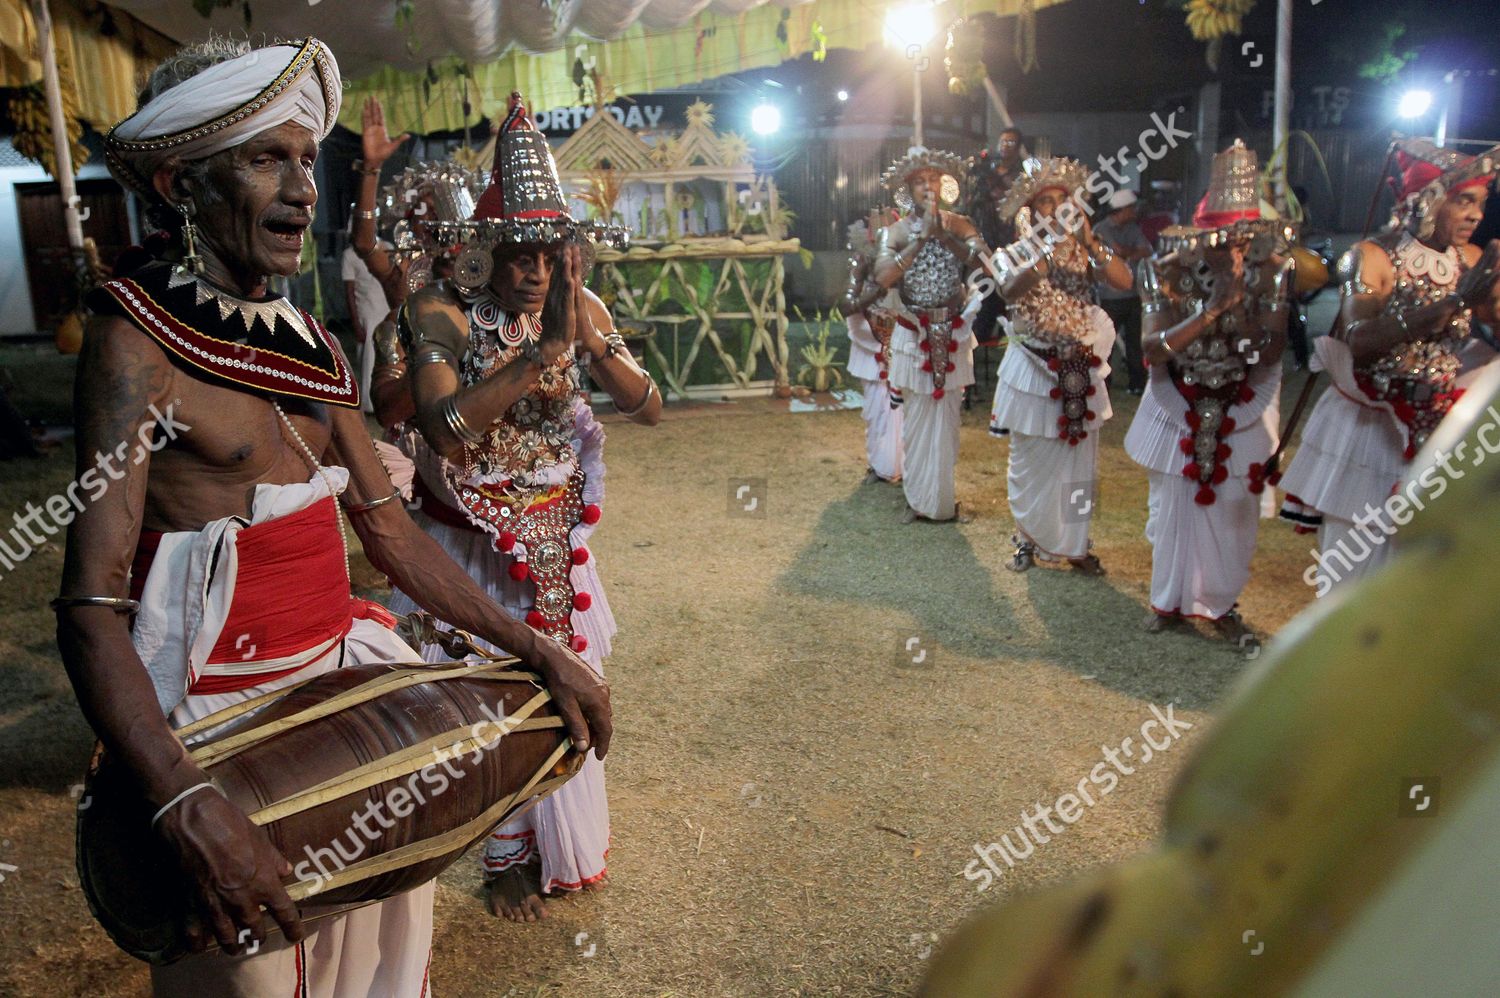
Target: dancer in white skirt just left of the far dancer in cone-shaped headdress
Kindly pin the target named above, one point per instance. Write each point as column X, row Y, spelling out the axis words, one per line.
column 1052, row 395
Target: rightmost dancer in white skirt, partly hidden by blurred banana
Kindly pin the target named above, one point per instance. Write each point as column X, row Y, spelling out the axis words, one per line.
column 1411, row 301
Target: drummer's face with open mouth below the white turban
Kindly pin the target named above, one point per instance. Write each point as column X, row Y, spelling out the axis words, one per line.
column 259, row 206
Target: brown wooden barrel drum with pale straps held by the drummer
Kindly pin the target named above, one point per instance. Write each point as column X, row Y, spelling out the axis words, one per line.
column 443, row 753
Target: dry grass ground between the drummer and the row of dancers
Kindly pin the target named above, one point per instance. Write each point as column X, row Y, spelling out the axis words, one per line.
column 793, row 801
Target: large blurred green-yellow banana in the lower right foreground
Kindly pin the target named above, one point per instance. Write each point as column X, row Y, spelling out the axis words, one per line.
column 1297, row 813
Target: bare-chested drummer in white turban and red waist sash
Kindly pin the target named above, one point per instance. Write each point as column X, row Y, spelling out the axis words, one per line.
column 221, row 428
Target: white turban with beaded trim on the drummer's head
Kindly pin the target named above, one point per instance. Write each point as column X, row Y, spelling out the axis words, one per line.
column 226, row 106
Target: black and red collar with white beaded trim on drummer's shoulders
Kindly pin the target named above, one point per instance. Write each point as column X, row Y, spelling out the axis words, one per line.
column 269, row 346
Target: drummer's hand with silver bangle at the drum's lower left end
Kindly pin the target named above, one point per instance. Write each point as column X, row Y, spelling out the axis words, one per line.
column 235, row 870
